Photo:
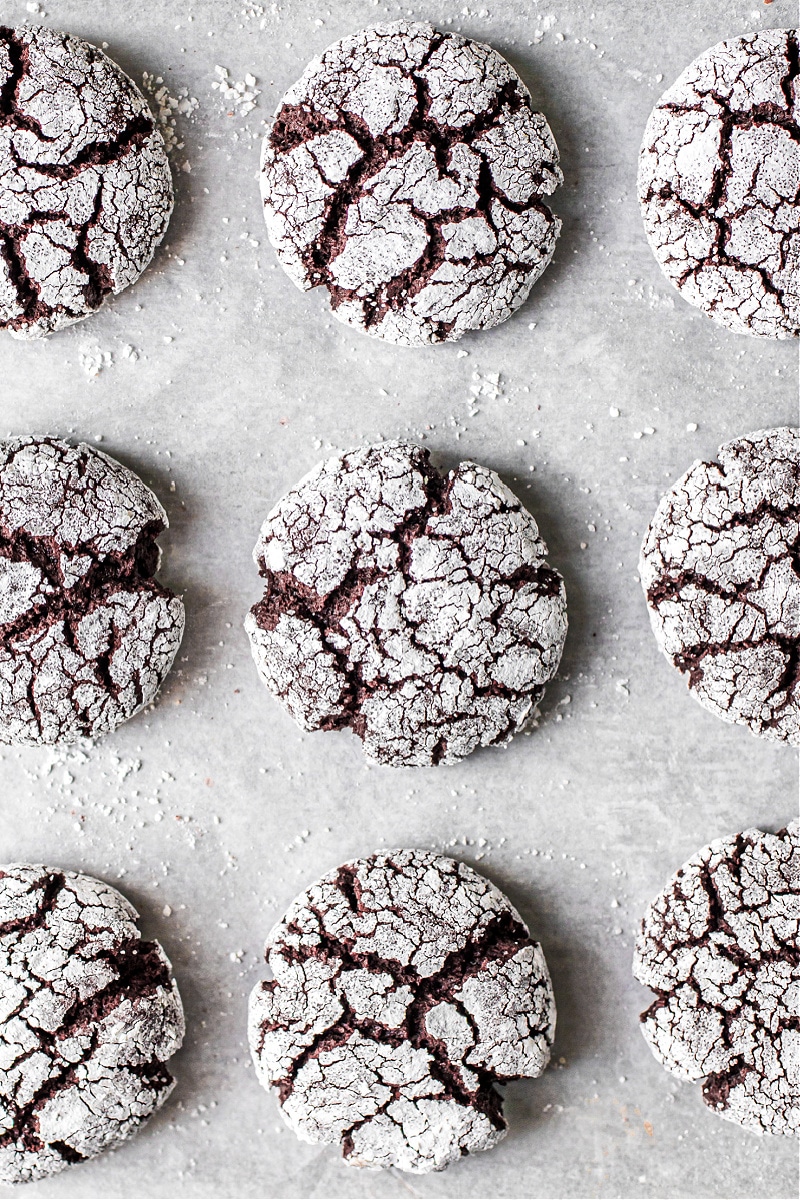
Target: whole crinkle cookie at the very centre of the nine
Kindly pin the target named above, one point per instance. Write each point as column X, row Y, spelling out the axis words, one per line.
column 418, row 610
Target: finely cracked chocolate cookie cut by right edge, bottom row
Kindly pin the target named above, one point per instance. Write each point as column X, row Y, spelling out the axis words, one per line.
column 720, row 949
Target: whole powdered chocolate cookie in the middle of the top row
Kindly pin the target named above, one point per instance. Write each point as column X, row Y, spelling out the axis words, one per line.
column 405, row 172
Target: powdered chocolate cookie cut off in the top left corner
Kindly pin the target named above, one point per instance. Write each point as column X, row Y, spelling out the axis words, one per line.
column 86, row 189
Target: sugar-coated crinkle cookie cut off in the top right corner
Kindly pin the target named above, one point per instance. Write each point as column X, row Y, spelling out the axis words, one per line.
column 719, row 184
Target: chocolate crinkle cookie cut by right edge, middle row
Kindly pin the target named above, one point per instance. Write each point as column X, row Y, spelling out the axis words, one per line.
column 721, row 572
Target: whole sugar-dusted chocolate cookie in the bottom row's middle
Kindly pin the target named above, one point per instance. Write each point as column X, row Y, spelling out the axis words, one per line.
column 405, row 988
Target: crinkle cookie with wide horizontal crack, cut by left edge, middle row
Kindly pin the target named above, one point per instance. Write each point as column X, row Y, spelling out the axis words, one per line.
column 87, row 635
